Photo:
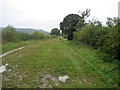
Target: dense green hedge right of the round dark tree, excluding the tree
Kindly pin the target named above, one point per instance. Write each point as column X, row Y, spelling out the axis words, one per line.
column 104, row 38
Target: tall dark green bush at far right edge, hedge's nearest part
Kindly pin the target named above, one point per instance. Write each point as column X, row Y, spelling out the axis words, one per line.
column 112, row 42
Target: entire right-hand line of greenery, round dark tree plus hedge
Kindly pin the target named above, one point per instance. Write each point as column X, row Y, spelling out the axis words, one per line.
column 106, row 38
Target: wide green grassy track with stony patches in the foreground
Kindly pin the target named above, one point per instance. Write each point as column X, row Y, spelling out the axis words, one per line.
column 55, row 58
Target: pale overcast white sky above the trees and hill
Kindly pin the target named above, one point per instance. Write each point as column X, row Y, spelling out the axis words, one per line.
column 47, row 14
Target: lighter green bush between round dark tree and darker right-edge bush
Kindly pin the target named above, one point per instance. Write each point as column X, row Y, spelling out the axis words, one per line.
column 91, row 35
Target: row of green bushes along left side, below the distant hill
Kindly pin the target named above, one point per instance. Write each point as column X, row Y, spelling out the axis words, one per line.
column 9, row 34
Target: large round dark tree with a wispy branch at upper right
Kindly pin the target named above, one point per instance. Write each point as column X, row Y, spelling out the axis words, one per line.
column 73, row 22
